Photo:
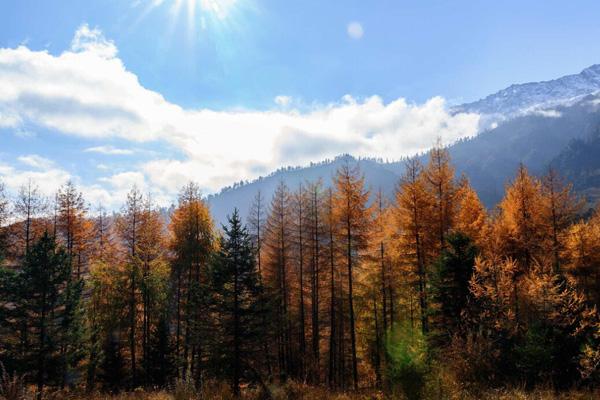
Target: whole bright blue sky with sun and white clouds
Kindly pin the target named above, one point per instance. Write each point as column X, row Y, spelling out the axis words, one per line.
column 112, row 93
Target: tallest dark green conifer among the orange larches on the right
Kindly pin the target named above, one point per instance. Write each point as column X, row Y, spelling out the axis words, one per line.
column 450, row 287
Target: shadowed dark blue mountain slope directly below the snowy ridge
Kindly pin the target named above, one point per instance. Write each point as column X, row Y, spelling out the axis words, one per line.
column 491, row 158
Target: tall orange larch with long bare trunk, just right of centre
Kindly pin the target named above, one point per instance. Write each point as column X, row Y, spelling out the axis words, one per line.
column 352, row 216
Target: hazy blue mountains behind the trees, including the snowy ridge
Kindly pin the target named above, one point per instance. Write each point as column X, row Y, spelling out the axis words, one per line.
column 539, row 124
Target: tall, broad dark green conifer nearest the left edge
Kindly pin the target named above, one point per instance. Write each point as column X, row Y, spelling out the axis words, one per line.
column 44, row 307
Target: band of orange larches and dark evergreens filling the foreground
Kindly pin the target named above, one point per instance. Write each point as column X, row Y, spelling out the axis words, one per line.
column 326, row 289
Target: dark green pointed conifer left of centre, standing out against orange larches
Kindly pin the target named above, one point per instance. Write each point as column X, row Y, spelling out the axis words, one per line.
column 238, row 303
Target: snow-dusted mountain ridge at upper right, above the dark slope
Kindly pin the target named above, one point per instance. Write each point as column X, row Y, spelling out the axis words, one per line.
column 526, row 98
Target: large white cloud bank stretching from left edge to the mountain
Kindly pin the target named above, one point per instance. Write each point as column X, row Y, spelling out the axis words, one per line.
column 87, row 92
